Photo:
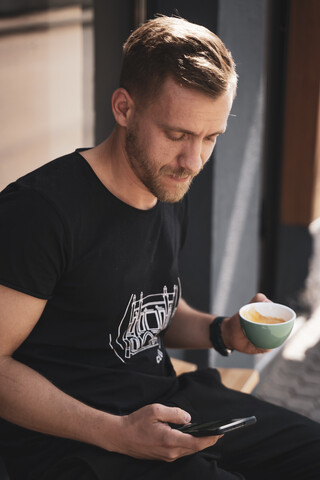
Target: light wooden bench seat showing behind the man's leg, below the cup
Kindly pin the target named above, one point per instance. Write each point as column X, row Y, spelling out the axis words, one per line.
column 242, row 379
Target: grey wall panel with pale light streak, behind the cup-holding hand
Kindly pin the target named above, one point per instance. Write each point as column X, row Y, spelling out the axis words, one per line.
column 238, row 167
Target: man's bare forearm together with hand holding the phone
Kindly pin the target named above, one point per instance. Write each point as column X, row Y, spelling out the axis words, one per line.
column 29, row 400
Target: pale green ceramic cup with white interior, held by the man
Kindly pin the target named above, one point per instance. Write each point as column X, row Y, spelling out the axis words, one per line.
column 267, row 335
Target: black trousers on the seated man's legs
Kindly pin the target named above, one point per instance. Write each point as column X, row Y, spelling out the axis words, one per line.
column 282, row 444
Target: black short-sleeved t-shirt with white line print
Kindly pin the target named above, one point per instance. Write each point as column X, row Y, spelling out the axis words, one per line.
column 110, row 274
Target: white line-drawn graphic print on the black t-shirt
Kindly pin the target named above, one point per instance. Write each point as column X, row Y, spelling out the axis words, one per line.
column 142, row 322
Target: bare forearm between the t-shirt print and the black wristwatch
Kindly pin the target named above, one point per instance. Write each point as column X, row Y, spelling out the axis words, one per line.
column 189, row 328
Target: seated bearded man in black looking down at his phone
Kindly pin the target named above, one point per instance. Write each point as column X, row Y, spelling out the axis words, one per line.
column 91, row 296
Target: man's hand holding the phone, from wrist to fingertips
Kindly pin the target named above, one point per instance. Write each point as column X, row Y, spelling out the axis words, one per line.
column 145, row 434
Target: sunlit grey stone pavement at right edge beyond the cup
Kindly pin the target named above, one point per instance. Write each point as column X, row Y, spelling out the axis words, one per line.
column 293, row 378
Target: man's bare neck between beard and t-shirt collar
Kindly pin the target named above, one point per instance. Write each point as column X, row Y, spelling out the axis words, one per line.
column 110, row 163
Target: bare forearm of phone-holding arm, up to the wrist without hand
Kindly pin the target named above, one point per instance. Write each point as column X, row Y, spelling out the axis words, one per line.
column 31, row 401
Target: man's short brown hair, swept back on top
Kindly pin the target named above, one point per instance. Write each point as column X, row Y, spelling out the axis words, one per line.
column 169, row 46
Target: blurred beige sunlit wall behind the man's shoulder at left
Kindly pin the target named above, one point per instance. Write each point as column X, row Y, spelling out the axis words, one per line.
column 43, row 102
